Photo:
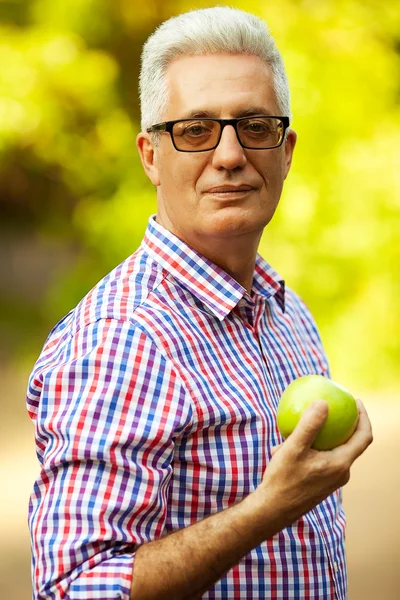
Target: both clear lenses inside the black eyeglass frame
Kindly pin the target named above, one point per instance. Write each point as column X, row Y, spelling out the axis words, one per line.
column 257, row 133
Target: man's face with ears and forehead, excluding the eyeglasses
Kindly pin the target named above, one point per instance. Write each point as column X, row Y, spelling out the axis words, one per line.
column 191, row 199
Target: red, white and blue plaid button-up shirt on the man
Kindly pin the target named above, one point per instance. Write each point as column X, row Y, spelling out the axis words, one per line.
column 154, row 403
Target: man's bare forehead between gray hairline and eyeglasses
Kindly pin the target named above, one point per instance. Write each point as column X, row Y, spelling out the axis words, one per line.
column 221, row 85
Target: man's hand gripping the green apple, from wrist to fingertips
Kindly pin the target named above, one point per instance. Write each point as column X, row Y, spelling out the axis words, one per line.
column 299, row 477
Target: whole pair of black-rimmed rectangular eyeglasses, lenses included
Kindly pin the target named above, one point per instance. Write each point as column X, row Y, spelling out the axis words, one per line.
column 200, row 135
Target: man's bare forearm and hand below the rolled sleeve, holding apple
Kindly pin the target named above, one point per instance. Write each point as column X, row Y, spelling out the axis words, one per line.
column 296, row 480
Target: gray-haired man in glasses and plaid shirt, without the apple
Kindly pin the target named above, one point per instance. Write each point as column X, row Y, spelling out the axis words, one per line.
column 163, row 471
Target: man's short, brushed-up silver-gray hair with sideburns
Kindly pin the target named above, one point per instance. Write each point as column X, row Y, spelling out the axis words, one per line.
column 220, row 29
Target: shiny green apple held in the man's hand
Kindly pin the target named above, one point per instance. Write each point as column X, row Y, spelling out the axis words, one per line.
column 342, row 416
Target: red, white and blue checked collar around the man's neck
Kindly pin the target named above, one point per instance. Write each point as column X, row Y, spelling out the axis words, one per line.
column 205, row 280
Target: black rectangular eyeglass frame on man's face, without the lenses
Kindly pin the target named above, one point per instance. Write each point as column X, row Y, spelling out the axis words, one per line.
column 167, row 126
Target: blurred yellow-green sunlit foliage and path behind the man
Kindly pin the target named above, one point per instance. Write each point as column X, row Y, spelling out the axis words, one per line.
column 75, row 202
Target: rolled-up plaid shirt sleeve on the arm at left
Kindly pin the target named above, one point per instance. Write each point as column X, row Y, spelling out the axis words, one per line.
column 107, row 409
